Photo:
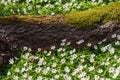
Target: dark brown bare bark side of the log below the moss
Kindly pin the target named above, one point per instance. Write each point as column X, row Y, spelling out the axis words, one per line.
column 33, row 35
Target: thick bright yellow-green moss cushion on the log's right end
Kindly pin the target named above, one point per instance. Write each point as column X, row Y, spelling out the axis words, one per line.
column 95, row 17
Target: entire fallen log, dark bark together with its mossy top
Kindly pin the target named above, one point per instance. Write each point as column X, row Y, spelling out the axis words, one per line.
column 44, row 31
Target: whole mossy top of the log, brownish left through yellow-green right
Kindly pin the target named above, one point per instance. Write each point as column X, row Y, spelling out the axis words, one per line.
column 84, row 19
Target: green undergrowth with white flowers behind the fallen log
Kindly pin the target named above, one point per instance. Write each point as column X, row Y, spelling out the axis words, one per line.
column 49, row 7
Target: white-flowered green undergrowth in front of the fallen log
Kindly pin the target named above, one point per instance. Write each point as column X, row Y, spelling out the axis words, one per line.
column 67, row 63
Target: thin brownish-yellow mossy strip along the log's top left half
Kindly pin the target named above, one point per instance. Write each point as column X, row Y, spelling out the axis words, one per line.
column 47, row 19
